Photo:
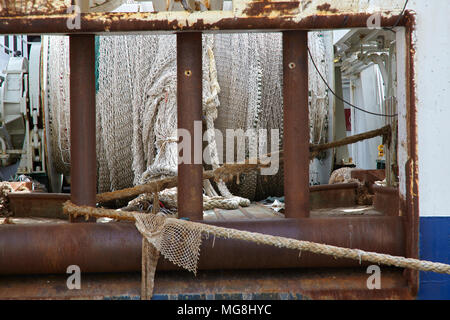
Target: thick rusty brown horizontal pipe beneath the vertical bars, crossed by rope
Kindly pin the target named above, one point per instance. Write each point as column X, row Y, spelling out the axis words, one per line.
column 116, row 247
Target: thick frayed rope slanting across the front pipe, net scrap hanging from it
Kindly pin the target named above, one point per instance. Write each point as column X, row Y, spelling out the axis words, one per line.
column 160, row 230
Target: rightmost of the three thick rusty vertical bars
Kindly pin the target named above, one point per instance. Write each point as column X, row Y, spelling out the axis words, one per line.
column 296, row 123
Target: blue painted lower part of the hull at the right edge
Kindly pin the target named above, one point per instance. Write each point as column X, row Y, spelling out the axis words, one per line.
column 434, row 246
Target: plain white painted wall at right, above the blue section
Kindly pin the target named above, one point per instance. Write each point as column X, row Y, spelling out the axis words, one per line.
column 432, row 73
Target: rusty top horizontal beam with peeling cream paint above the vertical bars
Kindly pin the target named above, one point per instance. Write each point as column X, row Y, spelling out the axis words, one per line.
column 98, row 23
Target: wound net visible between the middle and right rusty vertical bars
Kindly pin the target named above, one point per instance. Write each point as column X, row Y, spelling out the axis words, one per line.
column 249, row 67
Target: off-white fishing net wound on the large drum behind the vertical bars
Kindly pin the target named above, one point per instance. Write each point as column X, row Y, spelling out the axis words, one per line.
column 136, row 103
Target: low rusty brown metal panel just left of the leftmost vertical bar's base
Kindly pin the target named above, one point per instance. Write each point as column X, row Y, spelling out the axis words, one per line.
column 48, row 205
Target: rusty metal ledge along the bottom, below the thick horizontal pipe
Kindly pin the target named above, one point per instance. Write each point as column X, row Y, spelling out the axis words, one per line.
column 348, row 283
